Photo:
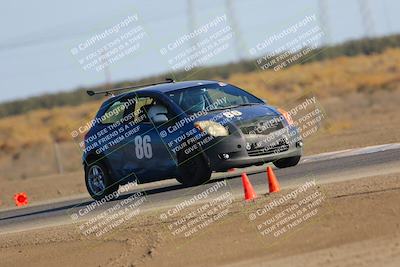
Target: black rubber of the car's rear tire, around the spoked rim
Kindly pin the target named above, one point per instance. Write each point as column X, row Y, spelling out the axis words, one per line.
column 110, row 186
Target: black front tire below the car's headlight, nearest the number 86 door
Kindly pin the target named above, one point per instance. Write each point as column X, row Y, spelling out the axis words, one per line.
column 193, row 171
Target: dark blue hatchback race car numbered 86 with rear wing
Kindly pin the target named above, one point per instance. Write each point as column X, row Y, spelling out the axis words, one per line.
column 183, row 130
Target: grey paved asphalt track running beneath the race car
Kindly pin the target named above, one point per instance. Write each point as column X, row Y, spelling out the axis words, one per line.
column 324, row 168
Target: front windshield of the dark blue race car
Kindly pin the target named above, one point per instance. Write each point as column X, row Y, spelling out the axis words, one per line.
column 212, row 97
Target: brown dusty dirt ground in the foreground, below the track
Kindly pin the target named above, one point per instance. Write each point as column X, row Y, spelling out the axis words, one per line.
column 357, row 223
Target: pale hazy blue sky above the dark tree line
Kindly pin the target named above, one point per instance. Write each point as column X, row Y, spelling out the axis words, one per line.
column 37, row 36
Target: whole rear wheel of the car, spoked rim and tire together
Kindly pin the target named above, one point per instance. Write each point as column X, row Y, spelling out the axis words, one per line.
column 98, row 182
